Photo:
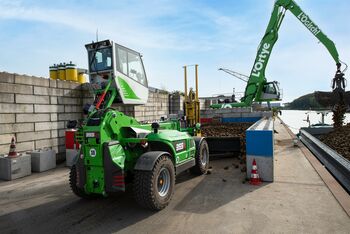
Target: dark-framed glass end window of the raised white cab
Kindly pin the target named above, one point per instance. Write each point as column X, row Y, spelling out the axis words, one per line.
column 100, row 60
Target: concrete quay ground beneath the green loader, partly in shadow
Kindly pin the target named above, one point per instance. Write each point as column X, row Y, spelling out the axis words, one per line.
column 297, row 201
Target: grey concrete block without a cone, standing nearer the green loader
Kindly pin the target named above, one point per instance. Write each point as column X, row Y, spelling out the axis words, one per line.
column 43, row 160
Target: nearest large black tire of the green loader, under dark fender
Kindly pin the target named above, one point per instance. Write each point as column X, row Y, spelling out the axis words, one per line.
column 148, row 186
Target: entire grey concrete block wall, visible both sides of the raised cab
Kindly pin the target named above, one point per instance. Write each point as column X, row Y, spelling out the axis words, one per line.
column 36, row 110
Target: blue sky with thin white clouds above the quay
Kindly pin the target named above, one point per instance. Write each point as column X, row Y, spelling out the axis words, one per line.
column 170, row 34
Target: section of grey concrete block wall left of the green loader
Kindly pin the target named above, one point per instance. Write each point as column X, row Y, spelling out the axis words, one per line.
column 35, row 110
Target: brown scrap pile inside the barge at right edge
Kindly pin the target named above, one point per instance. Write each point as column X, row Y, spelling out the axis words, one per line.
column 339, row 140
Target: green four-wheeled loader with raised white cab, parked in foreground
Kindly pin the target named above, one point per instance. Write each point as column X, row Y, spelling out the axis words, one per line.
column 116, row 149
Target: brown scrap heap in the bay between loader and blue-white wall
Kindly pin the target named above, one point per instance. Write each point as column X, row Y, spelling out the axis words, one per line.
column 227, row 130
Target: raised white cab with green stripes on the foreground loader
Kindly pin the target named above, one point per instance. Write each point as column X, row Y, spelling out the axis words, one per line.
column 108, row 59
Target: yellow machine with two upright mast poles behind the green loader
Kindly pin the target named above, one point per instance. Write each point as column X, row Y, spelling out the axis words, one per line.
column 192, row 105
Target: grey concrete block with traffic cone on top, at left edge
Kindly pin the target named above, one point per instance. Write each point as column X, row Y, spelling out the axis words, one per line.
column 14, row 168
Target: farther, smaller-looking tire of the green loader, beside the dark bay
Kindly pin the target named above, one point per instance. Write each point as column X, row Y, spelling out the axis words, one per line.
column 202, row 158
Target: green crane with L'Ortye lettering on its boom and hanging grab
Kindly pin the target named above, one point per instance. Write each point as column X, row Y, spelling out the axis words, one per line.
column 258, row 89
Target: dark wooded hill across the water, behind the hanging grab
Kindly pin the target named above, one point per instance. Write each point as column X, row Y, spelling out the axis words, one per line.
column 316, row 100
